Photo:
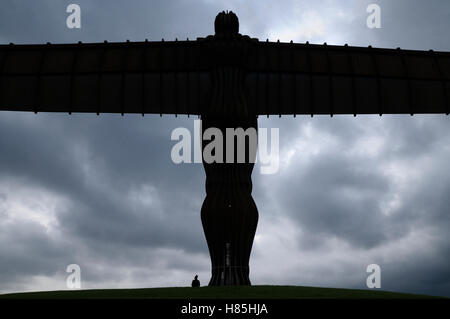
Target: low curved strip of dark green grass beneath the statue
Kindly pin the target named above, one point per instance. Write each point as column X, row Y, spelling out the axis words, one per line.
column 241, row 292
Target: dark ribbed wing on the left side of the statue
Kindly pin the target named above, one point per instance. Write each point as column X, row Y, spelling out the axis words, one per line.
column 133, row 77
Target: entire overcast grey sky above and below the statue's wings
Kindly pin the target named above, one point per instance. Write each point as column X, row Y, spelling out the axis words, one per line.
column 99, row 191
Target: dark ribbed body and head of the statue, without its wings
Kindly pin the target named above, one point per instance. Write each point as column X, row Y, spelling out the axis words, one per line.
column 229, row 214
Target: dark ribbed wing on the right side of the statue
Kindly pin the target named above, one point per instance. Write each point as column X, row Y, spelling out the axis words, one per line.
column 289, row 78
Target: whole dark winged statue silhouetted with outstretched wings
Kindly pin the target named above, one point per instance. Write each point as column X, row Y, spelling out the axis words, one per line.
column 228, row 79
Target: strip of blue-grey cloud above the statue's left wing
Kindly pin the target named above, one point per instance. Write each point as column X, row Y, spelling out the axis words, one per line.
column 45, row 20
